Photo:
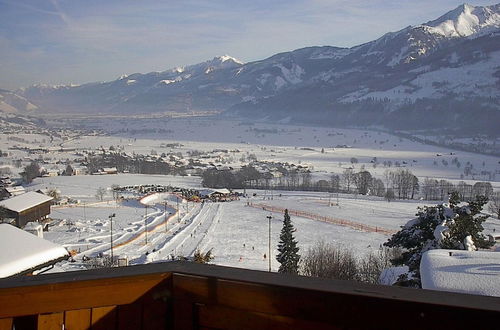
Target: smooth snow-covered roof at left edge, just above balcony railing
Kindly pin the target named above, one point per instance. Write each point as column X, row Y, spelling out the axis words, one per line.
column 21, row 251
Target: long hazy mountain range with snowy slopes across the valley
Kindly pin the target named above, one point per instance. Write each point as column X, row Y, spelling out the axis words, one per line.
column 445, row 72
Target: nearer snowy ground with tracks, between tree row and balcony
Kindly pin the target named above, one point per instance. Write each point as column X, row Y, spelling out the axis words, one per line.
column 237, row 233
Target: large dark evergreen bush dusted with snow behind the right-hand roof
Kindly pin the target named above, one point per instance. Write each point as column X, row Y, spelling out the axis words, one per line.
column 453, row 225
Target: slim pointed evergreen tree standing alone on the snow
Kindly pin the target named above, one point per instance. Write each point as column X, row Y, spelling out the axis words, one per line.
column 288, row 256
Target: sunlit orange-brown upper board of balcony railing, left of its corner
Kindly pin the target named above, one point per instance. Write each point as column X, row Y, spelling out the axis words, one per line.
column 59, row 297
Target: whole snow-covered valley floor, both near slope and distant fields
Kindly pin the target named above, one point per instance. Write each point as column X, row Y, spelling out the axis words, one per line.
column 236, row 232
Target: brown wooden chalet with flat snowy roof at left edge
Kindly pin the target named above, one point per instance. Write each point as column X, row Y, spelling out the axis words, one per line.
column 31, row 206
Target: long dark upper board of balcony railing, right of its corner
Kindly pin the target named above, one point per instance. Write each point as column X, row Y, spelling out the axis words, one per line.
column 336, row 309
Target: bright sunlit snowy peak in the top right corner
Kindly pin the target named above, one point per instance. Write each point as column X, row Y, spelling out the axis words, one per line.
column 465, row 21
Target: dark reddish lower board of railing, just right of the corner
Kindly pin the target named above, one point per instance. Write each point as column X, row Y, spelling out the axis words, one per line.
column 219, row 317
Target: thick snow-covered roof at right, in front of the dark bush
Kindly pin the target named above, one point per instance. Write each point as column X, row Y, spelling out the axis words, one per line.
column 474, row 272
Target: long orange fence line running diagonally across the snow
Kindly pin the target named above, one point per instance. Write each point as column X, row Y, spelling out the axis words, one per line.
column 336, row 221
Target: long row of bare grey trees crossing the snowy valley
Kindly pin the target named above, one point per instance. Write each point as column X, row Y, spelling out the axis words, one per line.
column 400, row 183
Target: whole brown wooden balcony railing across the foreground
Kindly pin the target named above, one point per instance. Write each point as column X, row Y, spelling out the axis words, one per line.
column 183, row 295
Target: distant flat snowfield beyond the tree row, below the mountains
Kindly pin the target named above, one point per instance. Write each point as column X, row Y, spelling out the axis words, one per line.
column 288, row 143
